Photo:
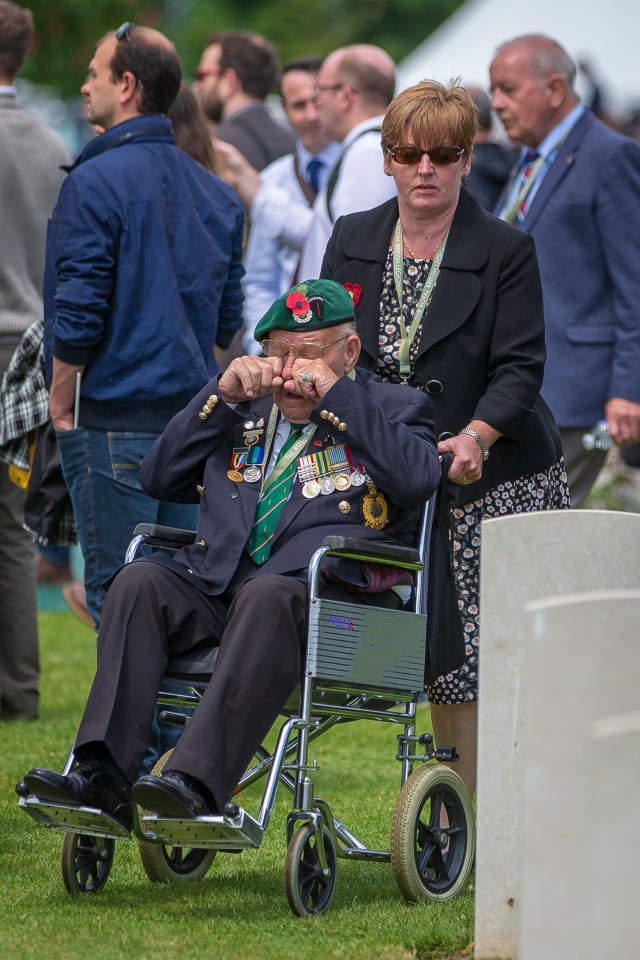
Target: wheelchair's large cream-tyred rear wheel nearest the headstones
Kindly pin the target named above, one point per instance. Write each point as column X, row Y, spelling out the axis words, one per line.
column 432, row 835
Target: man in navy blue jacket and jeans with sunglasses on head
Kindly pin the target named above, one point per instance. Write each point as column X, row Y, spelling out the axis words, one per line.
column 142, row 284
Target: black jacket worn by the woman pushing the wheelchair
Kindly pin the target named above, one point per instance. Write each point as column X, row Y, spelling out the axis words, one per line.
column 481, row 351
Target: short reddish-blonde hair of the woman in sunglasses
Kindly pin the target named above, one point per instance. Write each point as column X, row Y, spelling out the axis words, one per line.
column 431, row 114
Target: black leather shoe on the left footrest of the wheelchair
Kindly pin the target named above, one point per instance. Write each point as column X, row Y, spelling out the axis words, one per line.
column 89, row 784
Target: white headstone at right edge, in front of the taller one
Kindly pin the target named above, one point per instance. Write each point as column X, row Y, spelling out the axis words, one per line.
column 579, row 861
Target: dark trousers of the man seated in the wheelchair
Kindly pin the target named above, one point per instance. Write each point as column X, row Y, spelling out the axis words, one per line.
column 151, row 613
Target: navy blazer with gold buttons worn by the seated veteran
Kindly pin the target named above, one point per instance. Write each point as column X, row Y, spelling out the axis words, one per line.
column 387, row 429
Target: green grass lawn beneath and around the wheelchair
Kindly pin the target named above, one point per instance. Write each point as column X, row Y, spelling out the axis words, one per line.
column 239, row 910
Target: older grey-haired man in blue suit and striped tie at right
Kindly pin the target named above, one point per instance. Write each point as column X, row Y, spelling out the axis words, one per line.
column 576, row 190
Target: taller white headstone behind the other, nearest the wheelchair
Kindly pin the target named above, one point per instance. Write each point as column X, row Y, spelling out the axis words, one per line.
column 526, row 557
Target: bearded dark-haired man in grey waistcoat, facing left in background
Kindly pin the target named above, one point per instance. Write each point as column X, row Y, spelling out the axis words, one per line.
column 236, row 74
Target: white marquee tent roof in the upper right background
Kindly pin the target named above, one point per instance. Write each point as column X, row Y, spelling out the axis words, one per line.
column 604, row 34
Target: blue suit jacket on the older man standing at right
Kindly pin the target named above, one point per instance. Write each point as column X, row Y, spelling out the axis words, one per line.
column 585, row 221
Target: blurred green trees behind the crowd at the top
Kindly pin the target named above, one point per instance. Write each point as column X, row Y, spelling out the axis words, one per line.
column 67, row 30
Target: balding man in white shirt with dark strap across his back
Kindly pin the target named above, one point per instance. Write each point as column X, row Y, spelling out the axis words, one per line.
column 355, row 86
